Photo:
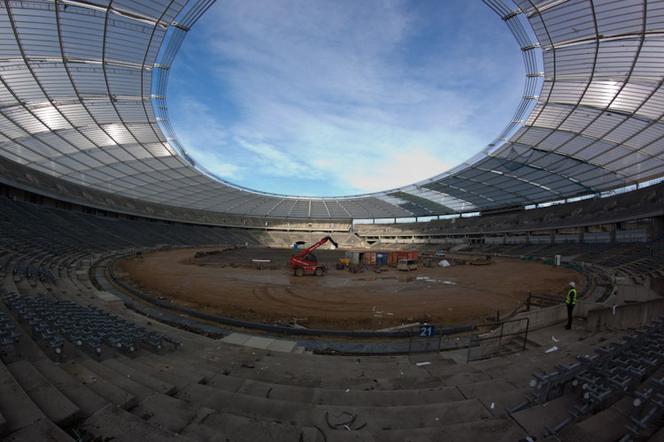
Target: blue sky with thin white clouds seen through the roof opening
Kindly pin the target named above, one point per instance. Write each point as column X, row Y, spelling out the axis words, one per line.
column 342, row 97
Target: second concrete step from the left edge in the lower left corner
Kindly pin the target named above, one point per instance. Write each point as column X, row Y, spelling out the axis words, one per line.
column 55, row 405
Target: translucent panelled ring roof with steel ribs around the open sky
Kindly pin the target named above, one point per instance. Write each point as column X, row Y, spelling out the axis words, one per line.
column 82, row 99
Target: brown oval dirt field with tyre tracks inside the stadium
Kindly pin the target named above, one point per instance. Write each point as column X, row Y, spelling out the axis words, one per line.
column 229, row 284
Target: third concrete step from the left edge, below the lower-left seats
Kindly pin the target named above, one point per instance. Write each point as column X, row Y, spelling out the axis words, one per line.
column 85, row 399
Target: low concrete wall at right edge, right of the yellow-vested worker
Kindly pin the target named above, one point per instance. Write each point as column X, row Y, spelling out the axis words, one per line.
column 624, row 316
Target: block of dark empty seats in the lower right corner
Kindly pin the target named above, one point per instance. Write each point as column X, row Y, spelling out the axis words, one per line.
column 598, row 380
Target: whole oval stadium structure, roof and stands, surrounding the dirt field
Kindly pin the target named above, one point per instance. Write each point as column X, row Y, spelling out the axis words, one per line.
column 91, row 169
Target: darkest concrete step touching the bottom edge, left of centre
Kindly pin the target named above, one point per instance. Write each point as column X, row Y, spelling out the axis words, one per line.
column 114, row 423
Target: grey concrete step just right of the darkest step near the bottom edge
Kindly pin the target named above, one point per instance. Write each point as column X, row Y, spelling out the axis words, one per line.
column 167, row 412
